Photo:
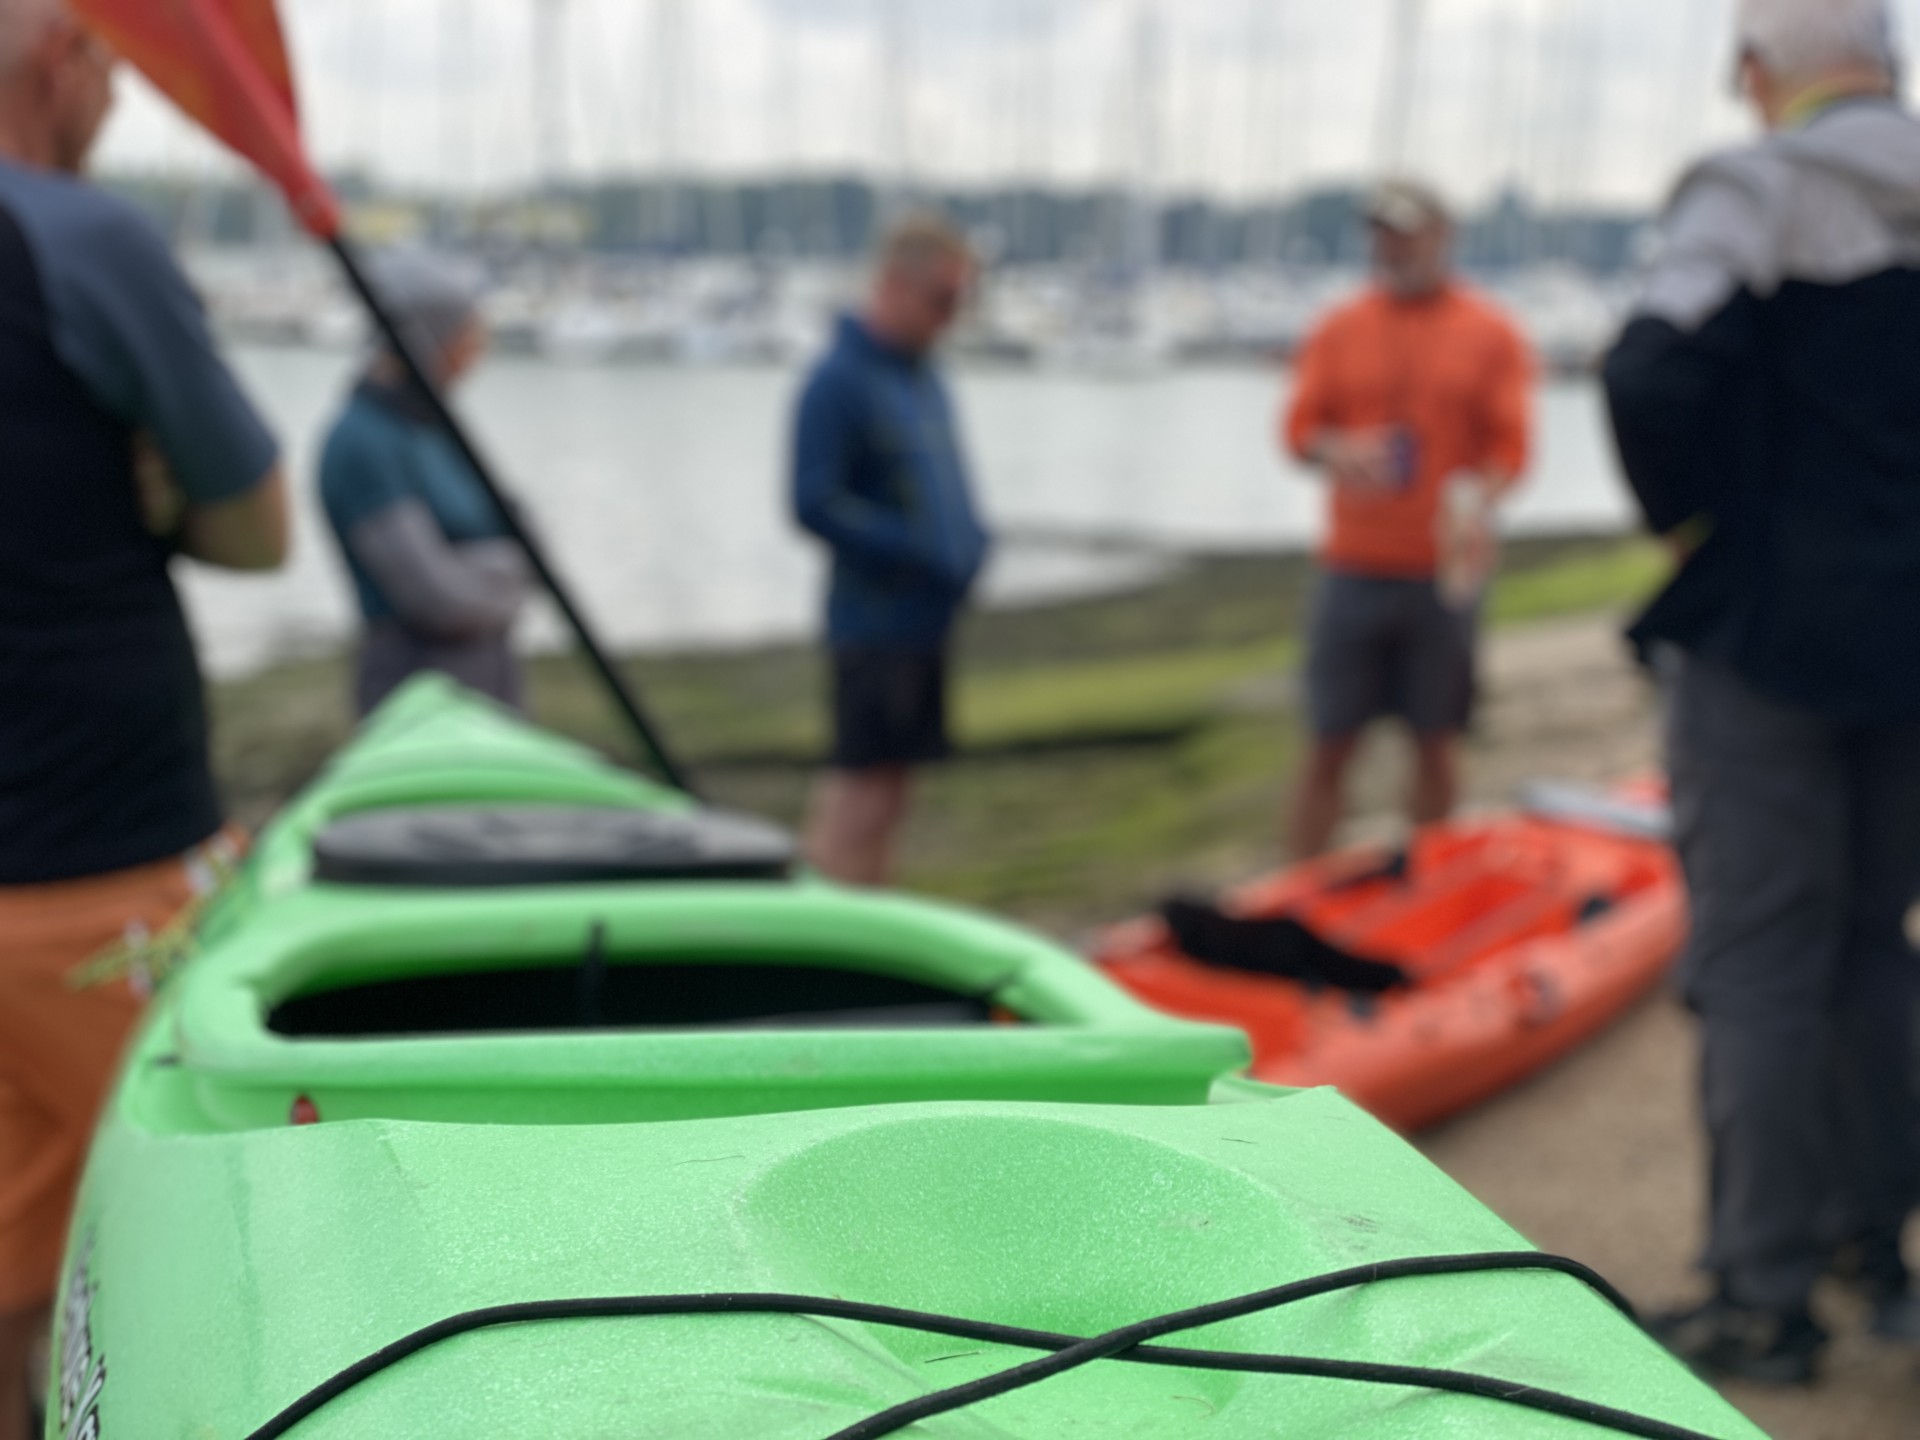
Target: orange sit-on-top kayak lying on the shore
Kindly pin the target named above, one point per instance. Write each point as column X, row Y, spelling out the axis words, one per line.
column 1422, row 982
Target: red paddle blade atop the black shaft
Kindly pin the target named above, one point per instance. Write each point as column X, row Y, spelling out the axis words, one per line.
column 226, row 64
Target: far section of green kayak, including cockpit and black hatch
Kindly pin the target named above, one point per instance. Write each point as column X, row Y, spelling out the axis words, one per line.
column 471, row 923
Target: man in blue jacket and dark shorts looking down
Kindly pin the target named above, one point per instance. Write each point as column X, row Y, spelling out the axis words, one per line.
column 880, row 479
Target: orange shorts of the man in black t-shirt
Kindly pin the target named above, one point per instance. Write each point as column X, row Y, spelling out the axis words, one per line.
column 60, row 1047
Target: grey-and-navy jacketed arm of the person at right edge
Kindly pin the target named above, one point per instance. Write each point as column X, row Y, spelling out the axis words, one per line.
column 1677, row 366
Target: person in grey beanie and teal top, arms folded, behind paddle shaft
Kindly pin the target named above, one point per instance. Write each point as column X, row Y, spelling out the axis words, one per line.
column 437, row 575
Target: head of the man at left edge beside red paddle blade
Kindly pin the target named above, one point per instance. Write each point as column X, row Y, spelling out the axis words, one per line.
column 57, row 85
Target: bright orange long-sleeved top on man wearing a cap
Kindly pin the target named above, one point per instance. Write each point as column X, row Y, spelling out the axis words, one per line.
column 1454, row 373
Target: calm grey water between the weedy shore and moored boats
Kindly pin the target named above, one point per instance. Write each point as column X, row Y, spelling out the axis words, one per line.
column 661, row 491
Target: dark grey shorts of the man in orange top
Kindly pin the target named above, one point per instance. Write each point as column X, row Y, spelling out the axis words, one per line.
column 1389, row 648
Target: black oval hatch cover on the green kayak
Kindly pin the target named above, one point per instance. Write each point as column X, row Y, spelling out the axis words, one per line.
column 546, row 846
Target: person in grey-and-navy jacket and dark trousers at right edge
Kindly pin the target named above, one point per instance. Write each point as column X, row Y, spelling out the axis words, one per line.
column 1767, row 406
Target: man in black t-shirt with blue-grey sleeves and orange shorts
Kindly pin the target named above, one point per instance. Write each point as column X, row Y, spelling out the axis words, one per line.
column 124, row 443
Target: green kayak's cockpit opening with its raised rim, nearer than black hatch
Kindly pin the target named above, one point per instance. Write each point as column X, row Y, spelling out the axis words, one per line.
column 640, row 1003
